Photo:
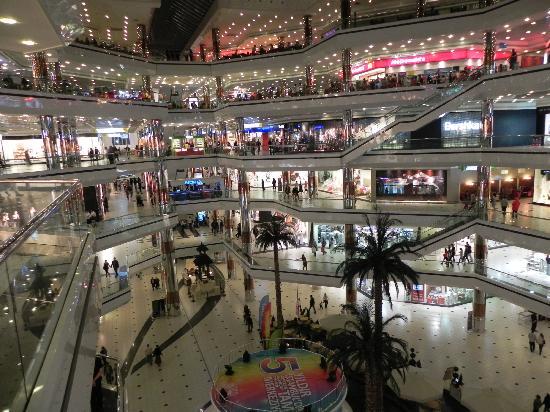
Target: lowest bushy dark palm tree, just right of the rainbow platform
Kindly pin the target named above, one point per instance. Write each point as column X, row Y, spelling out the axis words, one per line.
column 355, row 348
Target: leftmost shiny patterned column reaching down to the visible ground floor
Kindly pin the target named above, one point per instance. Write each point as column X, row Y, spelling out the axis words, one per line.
column 166, row 236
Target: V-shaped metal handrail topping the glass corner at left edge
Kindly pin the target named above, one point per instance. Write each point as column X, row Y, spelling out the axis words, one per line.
column 15, row 240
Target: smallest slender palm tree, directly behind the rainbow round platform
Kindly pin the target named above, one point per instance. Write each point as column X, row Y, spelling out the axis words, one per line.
column 276, row 233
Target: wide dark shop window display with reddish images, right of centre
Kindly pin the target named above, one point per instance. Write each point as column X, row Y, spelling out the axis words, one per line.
column 411, row 184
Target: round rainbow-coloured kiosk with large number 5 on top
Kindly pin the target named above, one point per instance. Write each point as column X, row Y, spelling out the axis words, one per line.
column 273, row 381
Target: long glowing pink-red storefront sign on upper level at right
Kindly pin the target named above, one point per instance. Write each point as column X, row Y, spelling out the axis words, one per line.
column 432, row 57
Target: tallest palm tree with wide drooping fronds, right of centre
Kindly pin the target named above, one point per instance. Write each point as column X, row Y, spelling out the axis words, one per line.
column 378, row 253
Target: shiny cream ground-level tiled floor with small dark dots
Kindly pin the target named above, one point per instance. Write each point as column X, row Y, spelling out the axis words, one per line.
column 497, row 359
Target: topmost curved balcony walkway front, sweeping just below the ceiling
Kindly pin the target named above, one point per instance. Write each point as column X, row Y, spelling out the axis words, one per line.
column 476, row 20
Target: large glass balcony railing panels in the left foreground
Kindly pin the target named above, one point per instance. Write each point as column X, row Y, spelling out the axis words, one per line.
column 38, row 264
